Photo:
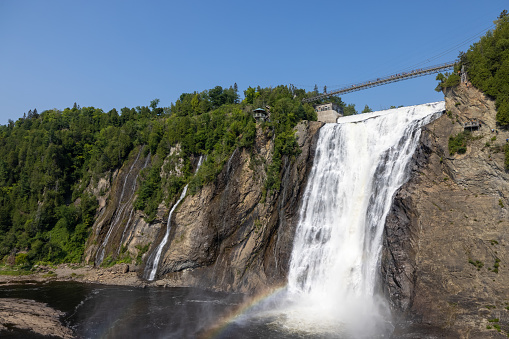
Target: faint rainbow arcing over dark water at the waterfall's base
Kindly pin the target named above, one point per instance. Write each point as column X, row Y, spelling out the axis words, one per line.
column 222, row 324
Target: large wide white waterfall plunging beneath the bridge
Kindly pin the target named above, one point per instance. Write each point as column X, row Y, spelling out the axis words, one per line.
column 359, row 164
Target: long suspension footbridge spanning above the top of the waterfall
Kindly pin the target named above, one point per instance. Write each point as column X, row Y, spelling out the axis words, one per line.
column 385, row 80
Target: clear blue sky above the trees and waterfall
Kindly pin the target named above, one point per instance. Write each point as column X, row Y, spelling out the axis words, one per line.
column 110, row 54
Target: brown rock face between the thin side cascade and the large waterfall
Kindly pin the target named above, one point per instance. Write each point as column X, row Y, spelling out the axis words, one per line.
column 225, row 237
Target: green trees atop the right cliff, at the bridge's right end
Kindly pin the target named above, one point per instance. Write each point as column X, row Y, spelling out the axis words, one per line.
column 487, row 65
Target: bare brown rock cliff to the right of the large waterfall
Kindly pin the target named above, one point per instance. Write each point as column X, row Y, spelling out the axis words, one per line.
column 445, row 261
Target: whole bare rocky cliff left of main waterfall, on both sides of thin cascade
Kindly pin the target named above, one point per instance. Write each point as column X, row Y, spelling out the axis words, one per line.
column 227, row 236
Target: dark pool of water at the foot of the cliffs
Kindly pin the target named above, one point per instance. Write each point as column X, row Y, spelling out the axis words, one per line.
column 98, row 311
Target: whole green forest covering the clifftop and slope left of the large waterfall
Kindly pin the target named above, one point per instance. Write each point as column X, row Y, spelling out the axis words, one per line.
column 50, row 162
